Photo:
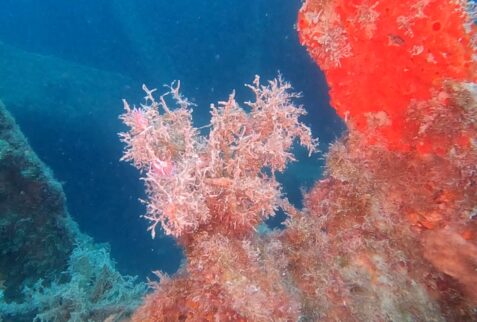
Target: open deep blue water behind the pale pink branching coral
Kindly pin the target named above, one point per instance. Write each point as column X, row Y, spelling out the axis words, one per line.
column 211, row 46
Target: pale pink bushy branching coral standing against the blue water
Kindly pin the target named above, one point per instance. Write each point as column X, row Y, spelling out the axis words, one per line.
column 215, row 183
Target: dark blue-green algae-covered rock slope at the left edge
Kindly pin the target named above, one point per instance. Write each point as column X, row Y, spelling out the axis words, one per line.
column 35, row 235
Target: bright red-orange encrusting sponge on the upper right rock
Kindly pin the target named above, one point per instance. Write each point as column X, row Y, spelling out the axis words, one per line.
column 382, row 55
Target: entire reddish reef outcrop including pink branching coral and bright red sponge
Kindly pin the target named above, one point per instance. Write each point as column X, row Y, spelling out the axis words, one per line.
column 389, row 234
